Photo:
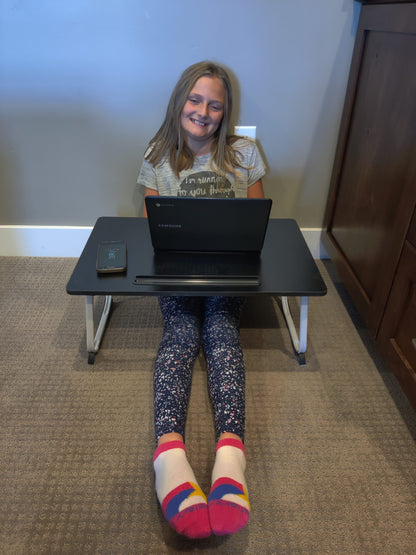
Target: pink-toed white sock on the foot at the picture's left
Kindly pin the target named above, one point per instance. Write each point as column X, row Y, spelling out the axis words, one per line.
column 183, row 503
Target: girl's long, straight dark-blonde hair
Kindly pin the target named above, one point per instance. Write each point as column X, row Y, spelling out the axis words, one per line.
column 169, row 140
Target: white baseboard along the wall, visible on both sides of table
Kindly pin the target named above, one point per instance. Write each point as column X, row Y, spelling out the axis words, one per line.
column 60, row 241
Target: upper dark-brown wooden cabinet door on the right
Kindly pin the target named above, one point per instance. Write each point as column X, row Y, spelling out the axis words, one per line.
column 373, row 193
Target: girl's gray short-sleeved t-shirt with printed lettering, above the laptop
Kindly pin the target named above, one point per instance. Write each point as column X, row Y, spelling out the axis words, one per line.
column 201, row 180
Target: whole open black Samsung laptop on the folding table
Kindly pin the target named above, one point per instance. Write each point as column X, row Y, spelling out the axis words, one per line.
column 206, row 241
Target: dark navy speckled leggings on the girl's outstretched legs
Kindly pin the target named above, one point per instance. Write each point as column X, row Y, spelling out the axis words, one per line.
column 188, row 320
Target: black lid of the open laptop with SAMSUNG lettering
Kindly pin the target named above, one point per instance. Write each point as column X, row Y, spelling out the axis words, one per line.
column 207, row 224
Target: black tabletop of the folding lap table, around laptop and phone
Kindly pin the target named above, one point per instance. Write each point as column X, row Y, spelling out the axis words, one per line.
column 287, row 267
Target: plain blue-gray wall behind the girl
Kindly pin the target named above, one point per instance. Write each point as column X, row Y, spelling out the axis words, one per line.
column 84, row 85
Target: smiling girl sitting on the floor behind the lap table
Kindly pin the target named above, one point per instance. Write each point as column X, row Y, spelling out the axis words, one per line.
column 192, row 155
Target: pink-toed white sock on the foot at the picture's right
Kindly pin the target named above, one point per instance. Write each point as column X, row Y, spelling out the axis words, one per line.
column 228, row 503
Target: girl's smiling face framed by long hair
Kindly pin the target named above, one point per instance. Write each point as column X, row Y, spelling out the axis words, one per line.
column 202, row 114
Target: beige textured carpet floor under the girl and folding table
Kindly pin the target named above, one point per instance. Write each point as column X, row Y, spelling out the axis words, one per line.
column 330, row 446
